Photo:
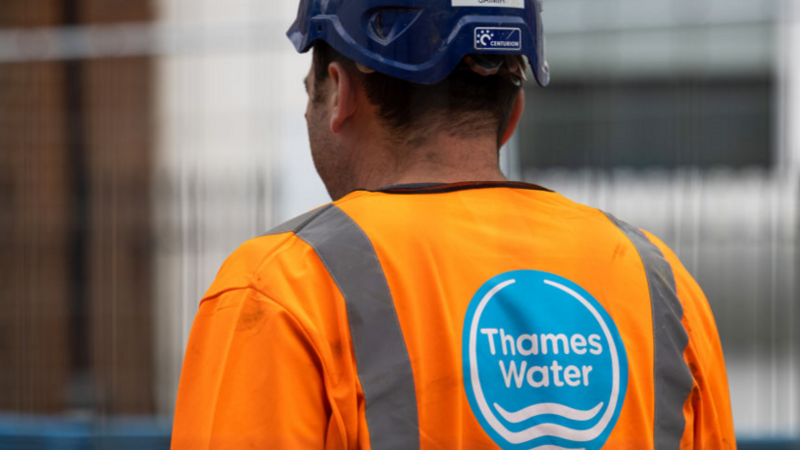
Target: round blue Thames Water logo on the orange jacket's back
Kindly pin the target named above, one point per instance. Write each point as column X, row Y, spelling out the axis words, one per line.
column 544, row 364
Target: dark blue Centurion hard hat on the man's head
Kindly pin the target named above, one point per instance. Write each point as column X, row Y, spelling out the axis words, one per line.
column 422, row 41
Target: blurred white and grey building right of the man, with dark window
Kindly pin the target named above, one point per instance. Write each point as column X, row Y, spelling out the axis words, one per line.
column 681, row 118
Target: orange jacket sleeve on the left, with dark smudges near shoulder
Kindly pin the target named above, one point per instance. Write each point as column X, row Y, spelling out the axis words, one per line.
column 251, row 378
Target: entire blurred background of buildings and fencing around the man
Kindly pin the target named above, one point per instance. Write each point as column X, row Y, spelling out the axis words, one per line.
column 142, row 141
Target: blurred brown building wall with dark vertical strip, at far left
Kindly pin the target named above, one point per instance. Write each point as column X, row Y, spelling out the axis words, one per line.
column 75, row 152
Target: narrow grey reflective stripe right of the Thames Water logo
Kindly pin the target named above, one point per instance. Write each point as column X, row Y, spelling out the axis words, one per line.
column 673, row 380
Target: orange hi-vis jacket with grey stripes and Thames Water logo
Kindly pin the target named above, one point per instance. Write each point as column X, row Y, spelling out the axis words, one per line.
column 465, row 316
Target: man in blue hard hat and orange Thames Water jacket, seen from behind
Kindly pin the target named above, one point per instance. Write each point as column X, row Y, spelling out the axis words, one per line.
column 434, row 304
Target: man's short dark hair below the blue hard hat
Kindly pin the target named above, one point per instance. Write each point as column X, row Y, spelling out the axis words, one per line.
column 461, row 104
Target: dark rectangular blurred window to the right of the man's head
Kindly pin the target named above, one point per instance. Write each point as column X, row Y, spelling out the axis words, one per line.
column 650, row 124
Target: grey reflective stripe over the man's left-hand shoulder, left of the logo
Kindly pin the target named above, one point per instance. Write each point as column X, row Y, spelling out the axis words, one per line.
column 382, row 360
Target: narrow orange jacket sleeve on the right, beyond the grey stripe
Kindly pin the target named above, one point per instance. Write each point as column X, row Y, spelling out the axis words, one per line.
column 709, row 419
